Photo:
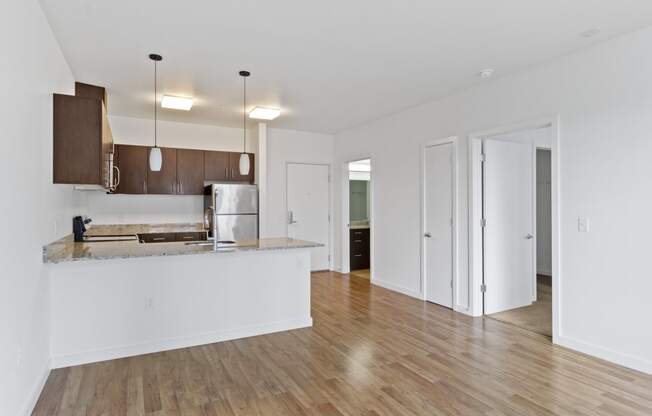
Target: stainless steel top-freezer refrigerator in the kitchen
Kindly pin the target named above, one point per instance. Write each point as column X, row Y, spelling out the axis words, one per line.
column 231, row 212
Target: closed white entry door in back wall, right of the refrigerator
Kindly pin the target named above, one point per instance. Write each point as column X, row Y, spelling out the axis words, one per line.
column 309, row 208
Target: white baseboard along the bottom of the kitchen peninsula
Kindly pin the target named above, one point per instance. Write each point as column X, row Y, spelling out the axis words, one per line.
column 85, row 357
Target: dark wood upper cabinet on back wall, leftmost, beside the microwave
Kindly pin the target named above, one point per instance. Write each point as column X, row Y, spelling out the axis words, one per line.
column 133, row 162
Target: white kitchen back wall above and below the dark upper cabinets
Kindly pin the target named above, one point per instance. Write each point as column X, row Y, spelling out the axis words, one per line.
column 138, row 209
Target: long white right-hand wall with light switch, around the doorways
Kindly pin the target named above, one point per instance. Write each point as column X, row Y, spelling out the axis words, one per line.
column 603, row 97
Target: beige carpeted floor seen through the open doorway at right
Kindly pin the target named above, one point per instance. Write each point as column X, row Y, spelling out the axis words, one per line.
column 536, row 317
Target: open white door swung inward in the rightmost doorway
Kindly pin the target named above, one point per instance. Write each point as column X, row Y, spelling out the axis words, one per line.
column 508, row 211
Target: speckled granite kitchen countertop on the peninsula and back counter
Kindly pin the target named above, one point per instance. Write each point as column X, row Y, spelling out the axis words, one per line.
column 67, row 250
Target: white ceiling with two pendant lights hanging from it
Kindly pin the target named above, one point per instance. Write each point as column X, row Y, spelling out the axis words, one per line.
column 330, row 65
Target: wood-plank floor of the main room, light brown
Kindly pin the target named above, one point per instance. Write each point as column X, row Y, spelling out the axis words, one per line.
column 370, row 352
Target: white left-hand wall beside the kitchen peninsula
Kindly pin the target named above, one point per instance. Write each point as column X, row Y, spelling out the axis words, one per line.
column 33, row 210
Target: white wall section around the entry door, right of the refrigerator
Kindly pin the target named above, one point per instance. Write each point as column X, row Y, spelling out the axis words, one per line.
column 290, row 146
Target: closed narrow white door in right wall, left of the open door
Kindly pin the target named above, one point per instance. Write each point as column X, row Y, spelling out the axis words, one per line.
column 438, row 237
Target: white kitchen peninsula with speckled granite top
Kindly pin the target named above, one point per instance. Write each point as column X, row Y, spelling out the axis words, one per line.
column 118, row 299
